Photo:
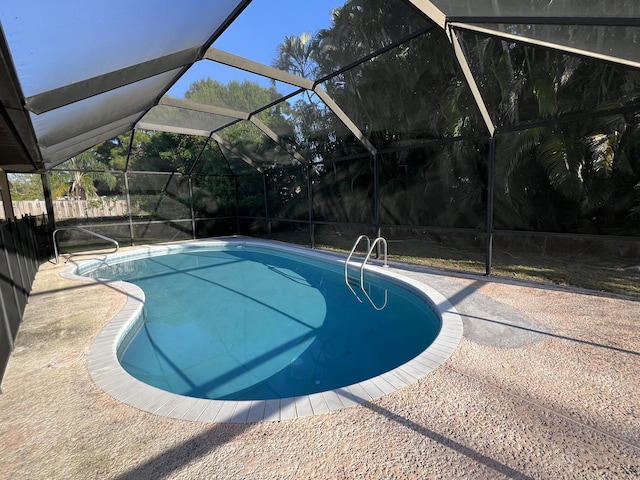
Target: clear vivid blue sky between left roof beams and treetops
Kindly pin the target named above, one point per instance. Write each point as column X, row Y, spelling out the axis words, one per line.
column 256, row 34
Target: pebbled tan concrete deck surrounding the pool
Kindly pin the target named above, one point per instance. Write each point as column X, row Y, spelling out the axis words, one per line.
column 544, row 384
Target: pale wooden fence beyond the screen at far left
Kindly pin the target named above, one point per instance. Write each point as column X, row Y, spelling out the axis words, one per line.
column 71, row 208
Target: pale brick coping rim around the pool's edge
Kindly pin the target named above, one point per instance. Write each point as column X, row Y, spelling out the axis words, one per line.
column 107, row 373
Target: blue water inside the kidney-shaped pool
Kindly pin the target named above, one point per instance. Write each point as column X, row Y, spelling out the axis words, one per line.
column 254, row 324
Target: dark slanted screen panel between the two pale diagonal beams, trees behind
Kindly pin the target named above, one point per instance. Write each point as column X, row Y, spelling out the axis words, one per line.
column 412, row 93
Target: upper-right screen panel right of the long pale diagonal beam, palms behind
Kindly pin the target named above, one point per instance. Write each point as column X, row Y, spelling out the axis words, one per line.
column 522, row 83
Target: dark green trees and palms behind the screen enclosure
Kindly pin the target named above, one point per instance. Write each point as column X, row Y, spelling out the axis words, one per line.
column 577, row 176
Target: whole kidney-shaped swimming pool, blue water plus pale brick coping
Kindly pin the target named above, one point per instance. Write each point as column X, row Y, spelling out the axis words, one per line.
column 288, row 376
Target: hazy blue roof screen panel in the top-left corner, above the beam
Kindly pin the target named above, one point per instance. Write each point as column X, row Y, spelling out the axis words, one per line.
column 55, row 44
